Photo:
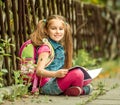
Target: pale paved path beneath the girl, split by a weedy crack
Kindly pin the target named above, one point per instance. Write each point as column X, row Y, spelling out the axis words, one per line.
column 112, row 97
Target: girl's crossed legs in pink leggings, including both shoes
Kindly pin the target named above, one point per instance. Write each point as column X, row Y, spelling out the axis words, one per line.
column 73, row 83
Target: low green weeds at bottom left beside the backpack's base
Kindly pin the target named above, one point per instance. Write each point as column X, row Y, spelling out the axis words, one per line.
column 19, row 89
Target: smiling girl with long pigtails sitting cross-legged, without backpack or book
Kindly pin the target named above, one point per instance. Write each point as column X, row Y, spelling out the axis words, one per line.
column 56, row 78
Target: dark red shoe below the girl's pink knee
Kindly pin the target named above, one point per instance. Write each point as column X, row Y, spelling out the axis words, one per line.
column 73, row 91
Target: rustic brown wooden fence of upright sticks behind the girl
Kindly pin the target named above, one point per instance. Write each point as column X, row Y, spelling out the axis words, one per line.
column 94, row 28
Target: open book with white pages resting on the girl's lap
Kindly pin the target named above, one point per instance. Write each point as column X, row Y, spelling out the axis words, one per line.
column 88, row 73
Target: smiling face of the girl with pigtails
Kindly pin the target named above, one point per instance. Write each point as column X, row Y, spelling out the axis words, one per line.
column 56, row 29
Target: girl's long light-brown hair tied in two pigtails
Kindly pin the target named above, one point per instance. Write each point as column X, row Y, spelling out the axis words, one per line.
column 67, row 42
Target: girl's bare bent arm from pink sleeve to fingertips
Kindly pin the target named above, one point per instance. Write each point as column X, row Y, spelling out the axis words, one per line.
column 40, row 70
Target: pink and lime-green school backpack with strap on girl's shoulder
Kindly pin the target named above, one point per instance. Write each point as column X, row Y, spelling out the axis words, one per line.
column 28, row 54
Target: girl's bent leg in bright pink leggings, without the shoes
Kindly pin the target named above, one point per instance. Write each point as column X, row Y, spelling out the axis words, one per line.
column 73, row 78
